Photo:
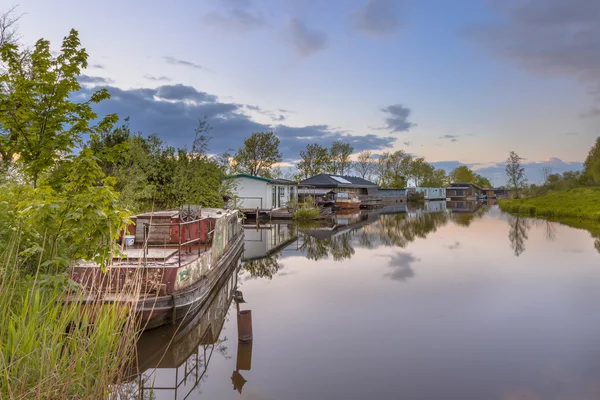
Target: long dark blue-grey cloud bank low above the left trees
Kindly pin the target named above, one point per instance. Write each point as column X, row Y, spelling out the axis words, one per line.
column 173, row 111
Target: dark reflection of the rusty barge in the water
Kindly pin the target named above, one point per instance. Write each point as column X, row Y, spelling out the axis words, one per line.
column 172, row 361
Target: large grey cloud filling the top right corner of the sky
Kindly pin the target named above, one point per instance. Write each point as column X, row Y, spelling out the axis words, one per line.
column 547, row 37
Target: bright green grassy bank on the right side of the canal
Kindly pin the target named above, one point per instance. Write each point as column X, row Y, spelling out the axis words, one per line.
column 579, row 203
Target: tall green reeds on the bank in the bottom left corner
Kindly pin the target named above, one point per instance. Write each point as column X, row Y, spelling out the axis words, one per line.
column 53, row 345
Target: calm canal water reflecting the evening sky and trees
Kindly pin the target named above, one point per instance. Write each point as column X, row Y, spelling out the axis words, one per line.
column 390, row 305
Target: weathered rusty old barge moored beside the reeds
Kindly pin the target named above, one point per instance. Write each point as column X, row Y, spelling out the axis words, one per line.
column 175, row 257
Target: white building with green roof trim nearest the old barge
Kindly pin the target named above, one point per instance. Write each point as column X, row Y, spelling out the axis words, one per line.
column 255, row 192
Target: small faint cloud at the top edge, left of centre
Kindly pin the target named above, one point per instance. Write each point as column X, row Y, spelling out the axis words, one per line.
column 235, row 15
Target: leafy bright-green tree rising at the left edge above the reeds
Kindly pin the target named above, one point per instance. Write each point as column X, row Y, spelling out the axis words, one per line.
column 38, row 118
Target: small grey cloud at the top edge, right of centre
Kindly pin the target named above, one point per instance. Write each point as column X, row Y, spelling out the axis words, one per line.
column 377, row 17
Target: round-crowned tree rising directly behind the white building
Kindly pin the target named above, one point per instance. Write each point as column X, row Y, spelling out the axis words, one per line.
column 259, row 154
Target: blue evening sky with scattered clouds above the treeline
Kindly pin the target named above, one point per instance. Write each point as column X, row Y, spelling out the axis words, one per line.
column 455, row 82
